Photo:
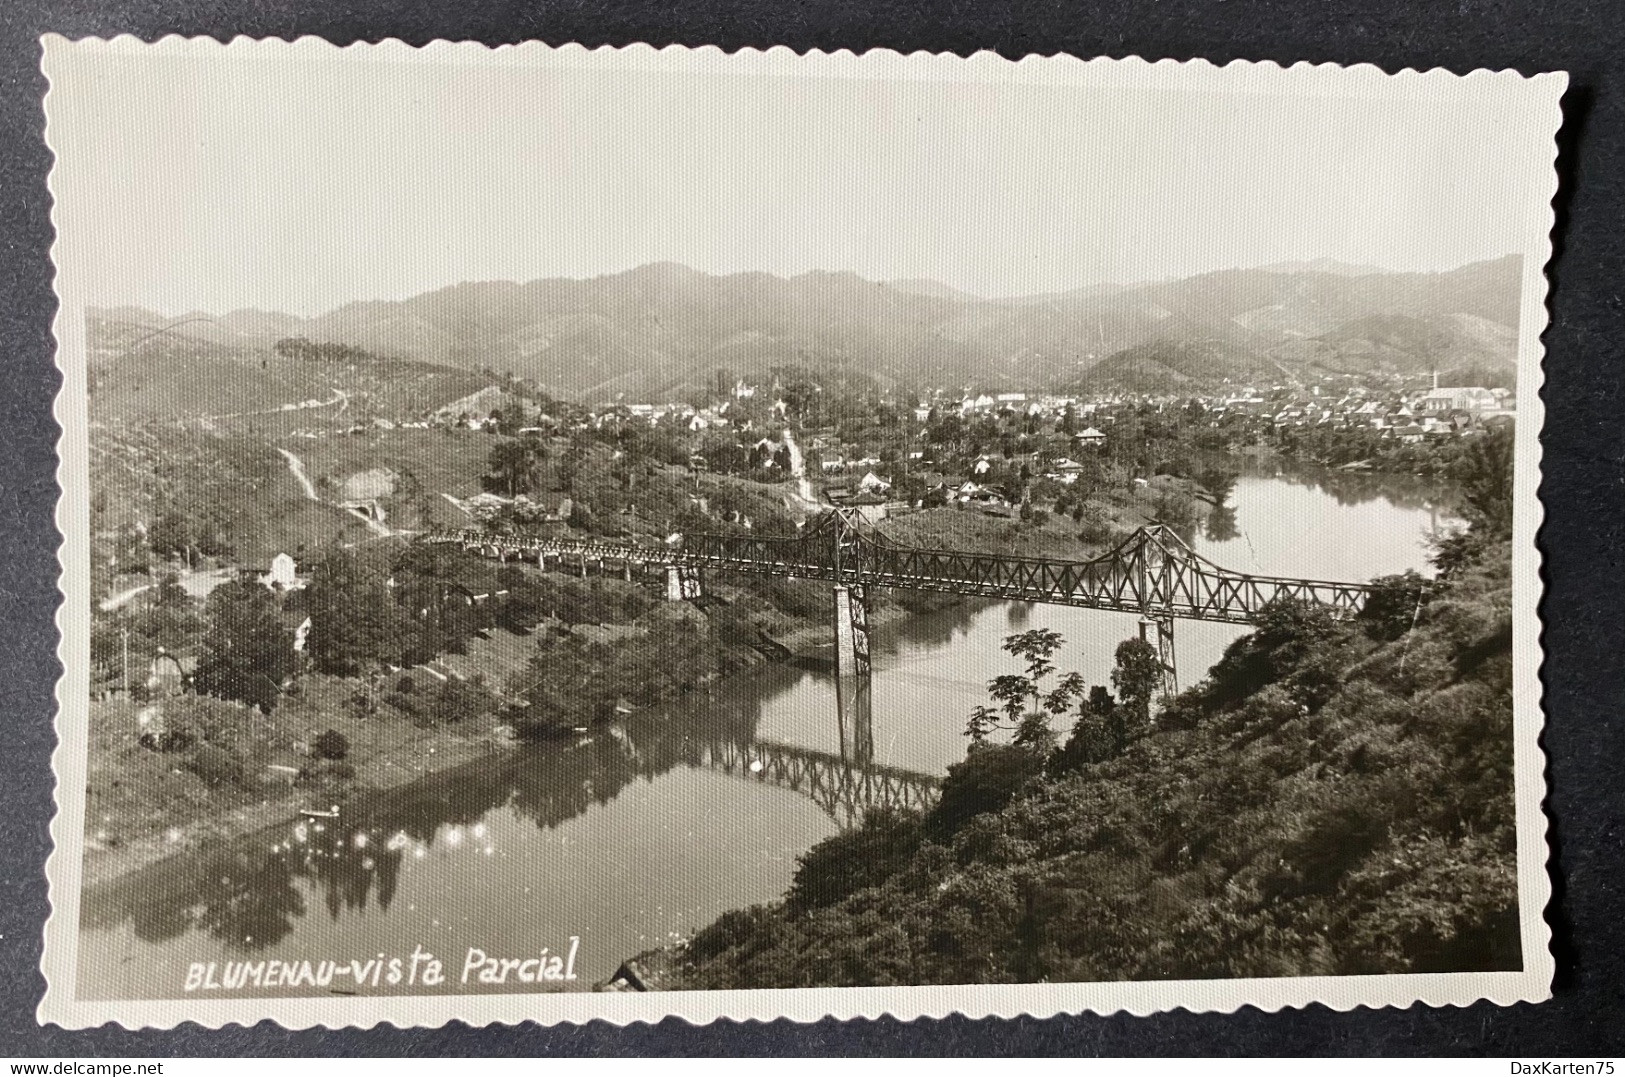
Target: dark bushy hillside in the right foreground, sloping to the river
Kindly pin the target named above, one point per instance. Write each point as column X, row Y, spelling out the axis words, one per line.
column 1333, row 798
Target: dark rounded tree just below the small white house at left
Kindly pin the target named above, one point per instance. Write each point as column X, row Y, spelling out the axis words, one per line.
column 248, row 652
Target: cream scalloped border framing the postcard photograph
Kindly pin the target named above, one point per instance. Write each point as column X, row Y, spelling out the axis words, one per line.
column 1538, row 102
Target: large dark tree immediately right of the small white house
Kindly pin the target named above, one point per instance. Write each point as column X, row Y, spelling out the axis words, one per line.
column 355, row 621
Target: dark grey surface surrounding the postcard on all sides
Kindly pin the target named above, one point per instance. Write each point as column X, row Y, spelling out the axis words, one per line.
column 1582, row 540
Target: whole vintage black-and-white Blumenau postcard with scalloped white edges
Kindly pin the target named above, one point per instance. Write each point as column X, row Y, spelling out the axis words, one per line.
column 560, row 535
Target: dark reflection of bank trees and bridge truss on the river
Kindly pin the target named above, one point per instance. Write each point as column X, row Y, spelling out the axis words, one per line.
column 251, row 894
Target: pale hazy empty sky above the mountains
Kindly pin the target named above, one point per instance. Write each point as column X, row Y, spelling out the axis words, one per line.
column 301, row 186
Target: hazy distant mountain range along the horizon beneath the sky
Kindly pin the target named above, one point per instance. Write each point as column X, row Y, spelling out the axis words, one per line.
column 665, row 331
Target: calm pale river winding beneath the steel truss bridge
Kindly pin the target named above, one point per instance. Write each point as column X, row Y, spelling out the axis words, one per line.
column 651, row 829
